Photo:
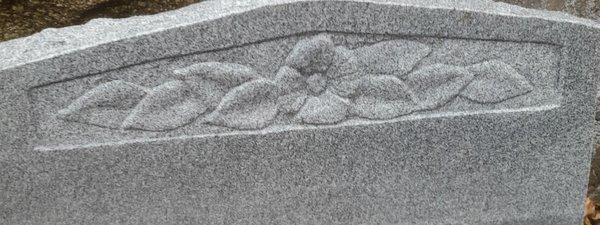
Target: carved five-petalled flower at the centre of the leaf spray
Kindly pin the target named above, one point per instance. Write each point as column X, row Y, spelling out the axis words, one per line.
column 312, row 70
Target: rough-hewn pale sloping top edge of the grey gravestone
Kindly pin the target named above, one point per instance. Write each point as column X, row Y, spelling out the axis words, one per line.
column 53, row 42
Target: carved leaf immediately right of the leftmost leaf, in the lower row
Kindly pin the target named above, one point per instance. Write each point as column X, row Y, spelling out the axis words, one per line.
column 166, row 107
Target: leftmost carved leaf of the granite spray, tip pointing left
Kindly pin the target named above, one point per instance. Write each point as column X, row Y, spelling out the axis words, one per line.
column 106, row 105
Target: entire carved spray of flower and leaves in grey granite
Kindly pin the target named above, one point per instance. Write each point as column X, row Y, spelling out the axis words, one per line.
column 320, row 83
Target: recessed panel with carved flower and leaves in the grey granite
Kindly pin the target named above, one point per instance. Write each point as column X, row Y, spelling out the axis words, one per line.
column 316, row 80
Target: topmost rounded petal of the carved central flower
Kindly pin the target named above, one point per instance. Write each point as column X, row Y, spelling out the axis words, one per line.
column 311, row 55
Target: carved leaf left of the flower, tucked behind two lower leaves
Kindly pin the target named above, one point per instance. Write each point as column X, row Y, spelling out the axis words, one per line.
column 211, row 80
